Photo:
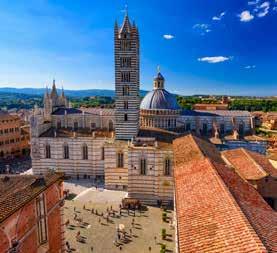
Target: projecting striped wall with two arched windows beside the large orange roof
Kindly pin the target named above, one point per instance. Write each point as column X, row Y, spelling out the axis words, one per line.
column 154, row 185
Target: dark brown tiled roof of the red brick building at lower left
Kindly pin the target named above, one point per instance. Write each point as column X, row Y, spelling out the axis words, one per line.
column 17, row 190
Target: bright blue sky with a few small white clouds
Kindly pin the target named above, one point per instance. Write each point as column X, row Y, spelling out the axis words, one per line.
column 203, row 47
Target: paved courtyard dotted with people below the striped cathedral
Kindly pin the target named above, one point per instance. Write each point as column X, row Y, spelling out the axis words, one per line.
column 89, row 228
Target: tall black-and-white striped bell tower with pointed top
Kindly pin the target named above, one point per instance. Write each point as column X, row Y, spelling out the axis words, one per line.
column 127, row 83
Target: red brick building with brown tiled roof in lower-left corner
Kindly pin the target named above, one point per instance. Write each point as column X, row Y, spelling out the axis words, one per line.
column 31, row 215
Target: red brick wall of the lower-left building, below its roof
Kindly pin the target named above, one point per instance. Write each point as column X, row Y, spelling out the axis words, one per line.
column 22, row 225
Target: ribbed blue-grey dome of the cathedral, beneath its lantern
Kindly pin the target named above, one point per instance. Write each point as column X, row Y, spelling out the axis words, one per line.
column 159, row 99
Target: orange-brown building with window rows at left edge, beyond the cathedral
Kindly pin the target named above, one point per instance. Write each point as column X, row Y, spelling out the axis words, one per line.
column 14, row 138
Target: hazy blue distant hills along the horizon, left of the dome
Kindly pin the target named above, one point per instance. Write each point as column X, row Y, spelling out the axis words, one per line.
column 69, row 93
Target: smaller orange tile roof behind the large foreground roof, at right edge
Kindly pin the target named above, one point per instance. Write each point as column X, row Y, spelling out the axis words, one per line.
column 250, row 165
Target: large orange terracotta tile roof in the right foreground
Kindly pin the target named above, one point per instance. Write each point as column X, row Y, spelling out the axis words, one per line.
column 217, row 211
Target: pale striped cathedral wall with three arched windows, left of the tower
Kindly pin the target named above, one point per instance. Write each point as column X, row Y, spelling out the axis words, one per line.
column 75, row 165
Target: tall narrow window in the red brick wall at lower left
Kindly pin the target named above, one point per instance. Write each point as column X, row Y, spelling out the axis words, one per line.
column 41, row 216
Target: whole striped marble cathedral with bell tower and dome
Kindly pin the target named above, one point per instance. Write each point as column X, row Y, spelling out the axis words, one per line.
column 129, row 147
